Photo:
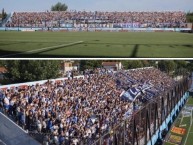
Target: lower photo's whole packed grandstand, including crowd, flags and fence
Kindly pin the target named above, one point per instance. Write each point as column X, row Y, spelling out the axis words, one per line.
column 123, row 107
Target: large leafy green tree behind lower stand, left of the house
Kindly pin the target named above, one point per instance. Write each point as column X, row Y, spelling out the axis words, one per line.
column 31, row 70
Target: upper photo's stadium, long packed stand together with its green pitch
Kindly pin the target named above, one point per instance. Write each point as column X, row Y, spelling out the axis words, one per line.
column 96, row 34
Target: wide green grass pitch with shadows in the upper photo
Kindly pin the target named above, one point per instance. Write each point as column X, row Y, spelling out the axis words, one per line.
column 95, row 44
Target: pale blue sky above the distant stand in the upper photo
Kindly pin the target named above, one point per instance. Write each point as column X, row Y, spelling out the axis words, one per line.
column 98, row 5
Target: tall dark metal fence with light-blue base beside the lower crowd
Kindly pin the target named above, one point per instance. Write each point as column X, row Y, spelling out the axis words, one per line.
column 147, row 124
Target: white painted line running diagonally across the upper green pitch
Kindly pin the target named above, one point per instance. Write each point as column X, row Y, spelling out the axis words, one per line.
column 45, row 48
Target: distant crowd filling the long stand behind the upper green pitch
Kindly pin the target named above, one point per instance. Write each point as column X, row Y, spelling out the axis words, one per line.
column 143, row 19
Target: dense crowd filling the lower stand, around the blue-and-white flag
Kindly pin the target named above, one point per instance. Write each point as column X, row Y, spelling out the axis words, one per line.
column 77, row 109
